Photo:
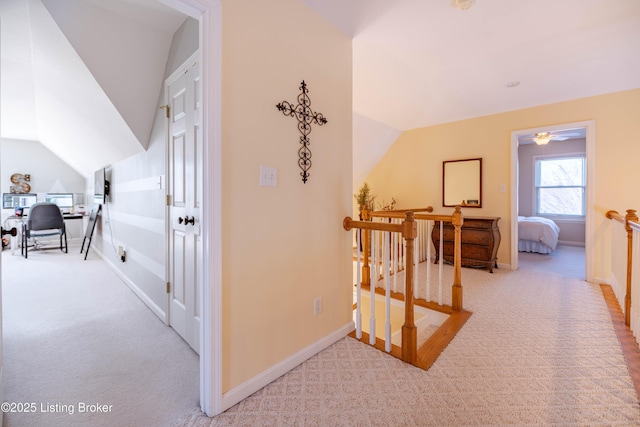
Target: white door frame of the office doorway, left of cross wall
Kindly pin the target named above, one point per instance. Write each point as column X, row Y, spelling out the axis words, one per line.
column 209, row 15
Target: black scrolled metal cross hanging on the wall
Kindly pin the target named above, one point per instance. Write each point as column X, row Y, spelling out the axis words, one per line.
column 305, row 117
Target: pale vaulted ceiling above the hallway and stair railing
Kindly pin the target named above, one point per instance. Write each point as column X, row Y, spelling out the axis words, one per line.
column 423, row 62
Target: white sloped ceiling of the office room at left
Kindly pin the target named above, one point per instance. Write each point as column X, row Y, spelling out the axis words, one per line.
column 82, row 79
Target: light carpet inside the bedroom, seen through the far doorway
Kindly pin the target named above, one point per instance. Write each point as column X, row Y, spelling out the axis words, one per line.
column 568, row 261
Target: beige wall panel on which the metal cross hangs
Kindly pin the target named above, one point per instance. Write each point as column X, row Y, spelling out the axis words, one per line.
column 282, row 246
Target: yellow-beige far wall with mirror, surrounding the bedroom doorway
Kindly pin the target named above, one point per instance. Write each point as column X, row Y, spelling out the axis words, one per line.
column 411, row 170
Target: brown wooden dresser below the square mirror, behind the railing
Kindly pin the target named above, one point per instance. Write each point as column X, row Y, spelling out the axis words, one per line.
column 480, row 241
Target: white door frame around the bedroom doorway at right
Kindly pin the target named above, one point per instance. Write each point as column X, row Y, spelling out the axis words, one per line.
column 590, row 196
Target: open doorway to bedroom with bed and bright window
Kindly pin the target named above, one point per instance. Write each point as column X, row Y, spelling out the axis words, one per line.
column 551, row 200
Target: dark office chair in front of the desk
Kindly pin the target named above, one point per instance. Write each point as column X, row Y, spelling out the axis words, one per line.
column 45, row 219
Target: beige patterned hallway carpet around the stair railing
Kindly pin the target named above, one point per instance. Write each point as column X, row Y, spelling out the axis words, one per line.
column 539, row 349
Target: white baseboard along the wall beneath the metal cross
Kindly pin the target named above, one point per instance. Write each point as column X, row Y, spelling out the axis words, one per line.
column 246, row 389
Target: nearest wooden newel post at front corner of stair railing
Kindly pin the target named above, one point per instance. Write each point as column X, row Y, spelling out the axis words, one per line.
column 409, row 330
